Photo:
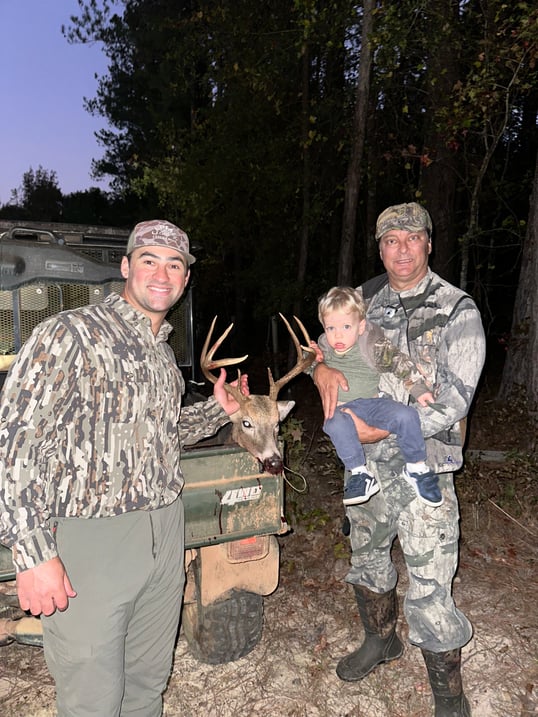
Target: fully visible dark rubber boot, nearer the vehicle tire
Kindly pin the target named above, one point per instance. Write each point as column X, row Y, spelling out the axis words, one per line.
column 379, row 613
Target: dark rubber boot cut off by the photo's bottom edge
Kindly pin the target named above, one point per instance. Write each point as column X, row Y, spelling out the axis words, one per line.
column 444, row 671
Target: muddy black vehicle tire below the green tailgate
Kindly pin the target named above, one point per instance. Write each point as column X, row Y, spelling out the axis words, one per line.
column 224, row 631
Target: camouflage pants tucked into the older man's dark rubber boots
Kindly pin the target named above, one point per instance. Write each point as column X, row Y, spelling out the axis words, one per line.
column 429, row 541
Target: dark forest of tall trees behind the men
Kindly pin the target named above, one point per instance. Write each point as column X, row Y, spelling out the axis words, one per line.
column 275, row 131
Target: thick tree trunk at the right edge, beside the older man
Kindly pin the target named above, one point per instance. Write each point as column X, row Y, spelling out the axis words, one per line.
column 521, row 368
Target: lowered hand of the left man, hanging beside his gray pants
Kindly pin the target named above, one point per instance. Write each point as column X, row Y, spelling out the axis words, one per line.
column 45, row 588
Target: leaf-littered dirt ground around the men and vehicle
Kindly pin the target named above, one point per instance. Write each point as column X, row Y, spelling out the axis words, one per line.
column 310, row 620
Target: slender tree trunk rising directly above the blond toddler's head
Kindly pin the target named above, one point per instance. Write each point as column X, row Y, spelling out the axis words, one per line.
column 353, row 181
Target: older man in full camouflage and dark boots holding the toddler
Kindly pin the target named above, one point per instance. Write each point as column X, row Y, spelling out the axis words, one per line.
column 440, row 328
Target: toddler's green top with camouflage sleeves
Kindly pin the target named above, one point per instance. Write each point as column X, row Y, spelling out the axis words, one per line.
column 371, row 356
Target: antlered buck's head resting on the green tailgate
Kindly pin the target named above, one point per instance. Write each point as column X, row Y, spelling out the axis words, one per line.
column 255, row 424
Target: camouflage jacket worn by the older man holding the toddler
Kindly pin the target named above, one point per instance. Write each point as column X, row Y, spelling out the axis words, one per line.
column 440, row 328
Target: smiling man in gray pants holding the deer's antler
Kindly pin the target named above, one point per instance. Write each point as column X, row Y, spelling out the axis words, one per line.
column 90, row 482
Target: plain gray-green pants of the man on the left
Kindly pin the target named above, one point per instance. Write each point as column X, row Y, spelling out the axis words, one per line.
column 110, row 652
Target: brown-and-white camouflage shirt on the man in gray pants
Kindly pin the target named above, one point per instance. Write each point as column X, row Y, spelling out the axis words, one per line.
column 89, row 424
